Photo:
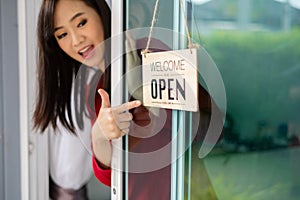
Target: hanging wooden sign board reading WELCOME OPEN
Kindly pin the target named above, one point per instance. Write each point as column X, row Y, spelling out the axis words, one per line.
column 170, row 79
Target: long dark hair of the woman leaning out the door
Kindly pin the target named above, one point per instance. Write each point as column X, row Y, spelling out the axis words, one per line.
column 56, row 71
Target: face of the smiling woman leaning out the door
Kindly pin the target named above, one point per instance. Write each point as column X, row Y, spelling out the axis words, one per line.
column 78, row 30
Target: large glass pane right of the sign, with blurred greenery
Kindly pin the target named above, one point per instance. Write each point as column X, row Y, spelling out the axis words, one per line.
column 255, row 47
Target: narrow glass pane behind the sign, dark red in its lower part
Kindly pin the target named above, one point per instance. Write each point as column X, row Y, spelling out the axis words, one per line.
column 149, row 142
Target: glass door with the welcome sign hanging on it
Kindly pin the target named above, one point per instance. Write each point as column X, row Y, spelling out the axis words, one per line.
column 248, row 64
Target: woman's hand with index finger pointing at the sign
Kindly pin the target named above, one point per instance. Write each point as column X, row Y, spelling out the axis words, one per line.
column 114, row 122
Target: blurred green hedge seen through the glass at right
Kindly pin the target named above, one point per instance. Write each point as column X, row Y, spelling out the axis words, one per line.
column 258, row 69
